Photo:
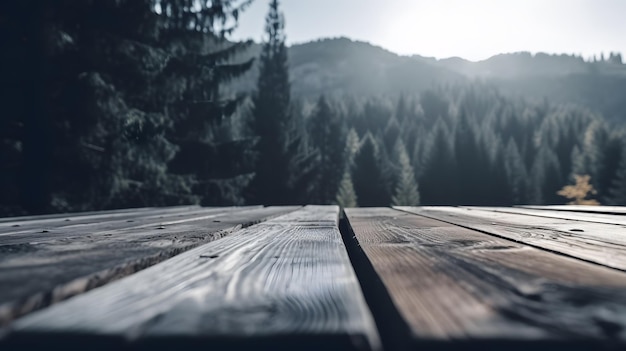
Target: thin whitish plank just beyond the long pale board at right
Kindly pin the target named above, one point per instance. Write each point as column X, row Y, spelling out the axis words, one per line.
column 574, row 216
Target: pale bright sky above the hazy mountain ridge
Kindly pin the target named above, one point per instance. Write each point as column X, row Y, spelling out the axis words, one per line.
column 471, row 29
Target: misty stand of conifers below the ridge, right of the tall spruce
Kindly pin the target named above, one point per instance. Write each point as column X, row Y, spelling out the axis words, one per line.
column 471, row 145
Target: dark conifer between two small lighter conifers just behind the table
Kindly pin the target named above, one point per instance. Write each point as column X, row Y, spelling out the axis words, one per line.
column 369, row 182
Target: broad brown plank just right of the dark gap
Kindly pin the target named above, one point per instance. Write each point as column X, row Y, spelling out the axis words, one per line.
column 456, row 288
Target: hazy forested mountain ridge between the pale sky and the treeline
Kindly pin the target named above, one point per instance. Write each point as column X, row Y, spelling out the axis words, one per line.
column 341, row 66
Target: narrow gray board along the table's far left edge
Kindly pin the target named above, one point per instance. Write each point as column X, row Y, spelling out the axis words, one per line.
column 67, row 225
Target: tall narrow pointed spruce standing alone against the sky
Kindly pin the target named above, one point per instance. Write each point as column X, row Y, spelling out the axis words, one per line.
column 284, row 161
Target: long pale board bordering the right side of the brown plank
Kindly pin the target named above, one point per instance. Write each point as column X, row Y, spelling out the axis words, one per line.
column 603, row 244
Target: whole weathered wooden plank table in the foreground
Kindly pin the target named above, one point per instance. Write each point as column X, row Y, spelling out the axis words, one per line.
column 316, row 278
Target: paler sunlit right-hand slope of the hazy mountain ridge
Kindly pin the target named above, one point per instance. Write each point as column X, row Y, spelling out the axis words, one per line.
column 599, row 86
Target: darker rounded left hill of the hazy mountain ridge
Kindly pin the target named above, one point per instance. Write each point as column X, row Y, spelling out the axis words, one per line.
column 342, row 66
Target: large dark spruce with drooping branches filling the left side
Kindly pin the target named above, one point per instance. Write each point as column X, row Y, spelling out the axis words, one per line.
column 116, row 79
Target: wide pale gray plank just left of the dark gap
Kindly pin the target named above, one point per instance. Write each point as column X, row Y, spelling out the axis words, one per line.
column 283, row 284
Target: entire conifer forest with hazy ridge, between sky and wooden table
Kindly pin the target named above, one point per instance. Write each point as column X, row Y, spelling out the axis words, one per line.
column 130, row 103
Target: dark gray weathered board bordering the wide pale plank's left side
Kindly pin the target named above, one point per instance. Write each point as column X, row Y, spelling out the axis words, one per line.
column 36, row 275
